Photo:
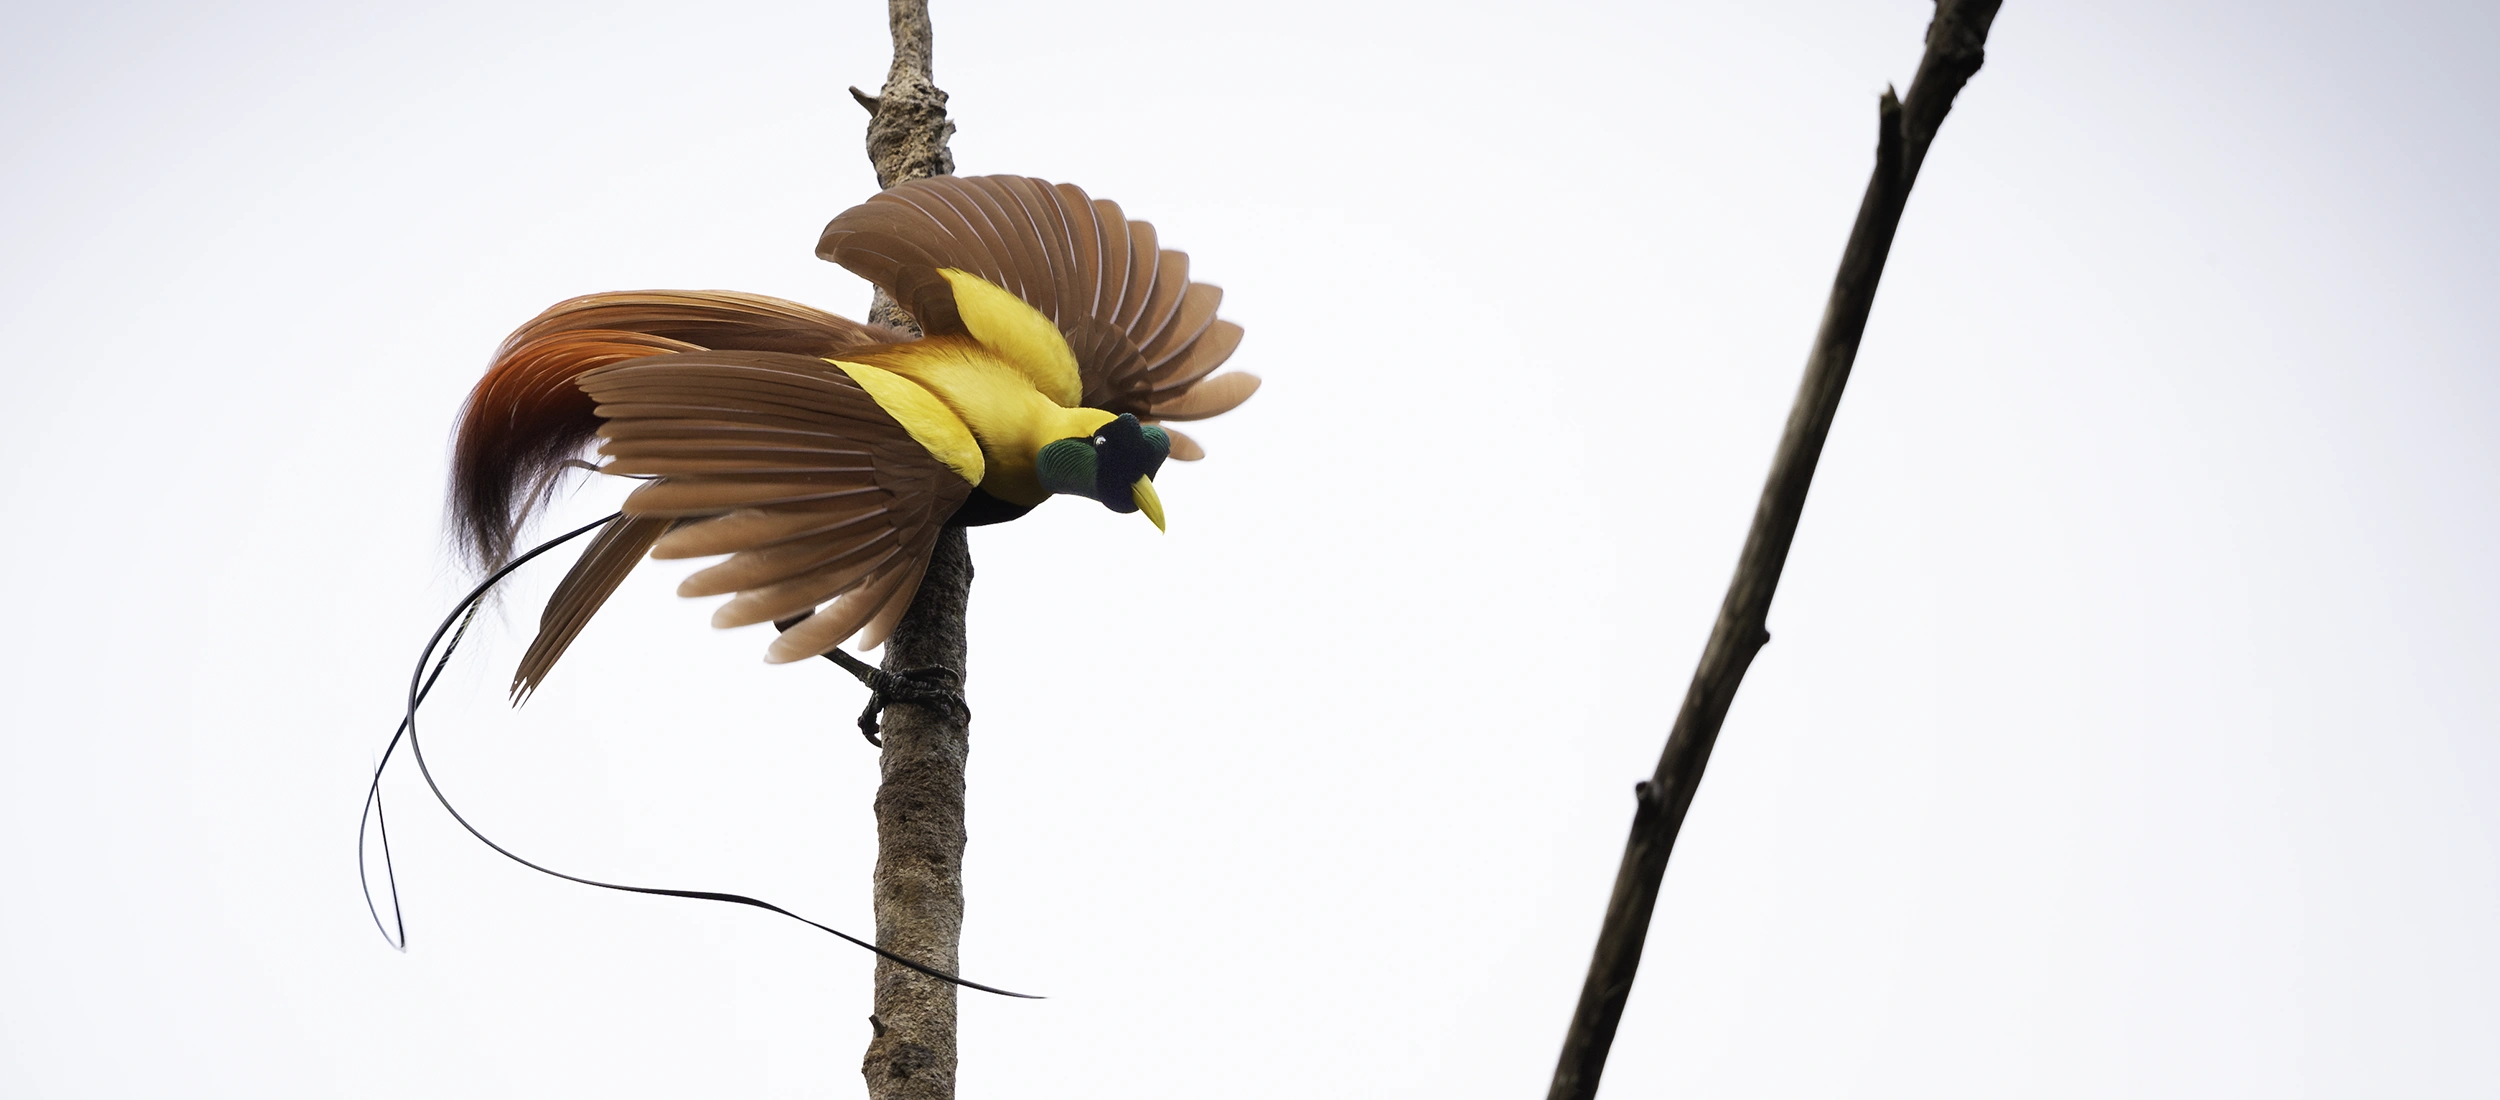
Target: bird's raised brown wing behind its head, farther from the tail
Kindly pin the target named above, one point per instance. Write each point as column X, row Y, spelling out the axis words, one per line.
column 1144, row 336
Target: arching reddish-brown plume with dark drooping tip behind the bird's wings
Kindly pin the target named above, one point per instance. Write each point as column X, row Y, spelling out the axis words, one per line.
column 526, row 419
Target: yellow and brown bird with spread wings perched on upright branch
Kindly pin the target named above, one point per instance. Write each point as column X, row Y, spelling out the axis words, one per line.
column 824, row 456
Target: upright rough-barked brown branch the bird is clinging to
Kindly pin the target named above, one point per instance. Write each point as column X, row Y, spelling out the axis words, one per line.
column 919, row 884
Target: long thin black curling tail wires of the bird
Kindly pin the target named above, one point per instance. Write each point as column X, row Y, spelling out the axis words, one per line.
column 424, row 684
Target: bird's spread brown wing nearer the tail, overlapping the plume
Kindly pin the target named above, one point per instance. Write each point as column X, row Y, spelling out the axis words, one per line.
column 786, row 464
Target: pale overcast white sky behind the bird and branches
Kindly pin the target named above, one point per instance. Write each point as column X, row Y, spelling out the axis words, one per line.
column 2129, row 724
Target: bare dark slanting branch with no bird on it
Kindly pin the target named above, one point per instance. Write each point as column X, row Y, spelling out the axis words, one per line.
column 1906, row 129
